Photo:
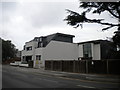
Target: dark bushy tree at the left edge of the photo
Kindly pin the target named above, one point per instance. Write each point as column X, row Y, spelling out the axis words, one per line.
column 8, row 50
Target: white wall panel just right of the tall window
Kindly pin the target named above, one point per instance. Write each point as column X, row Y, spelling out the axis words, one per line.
column 96, row 52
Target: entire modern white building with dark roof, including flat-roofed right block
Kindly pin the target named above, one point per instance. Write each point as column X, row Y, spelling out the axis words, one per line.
column 60, row 46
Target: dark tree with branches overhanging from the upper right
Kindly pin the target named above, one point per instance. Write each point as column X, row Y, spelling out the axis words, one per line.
column 113, row 8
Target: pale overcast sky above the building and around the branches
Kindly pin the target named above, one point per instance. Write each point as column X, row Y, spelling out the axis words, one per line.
column 22, row 21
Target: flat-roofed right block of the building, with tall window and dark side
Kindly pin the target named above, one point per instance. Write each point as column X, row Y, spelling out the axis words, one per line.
column 96, row 50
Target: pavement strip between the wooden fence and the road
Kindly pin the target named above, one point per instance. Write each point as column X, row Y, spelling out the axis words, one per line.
column 77, row 76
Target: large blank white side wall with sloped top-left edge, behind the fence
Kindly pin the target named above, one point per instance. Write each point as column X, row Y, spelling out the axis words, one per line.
column 56, row 50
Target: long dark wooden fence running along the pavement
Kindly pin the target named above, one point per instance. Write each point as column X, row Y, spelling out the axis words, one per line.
column 85, row 66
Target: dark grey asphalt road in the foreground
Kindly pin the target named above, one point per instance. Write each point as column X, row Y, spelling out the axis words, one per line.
column 13, row 77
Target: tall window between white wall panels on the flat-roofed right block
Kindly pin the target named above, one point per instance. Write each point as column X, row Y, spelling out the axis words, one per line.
column 87, row 52
